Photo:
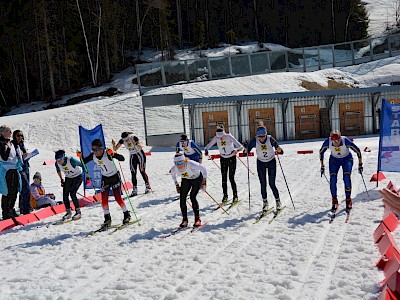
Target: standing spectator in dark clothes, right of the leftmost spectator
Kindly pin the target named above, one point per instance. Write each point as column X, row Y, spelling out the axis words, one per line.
column 24, row 195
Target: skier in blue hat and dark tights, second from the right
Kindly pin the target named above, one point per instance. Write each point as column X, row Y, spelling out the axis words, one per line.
column 265, row 146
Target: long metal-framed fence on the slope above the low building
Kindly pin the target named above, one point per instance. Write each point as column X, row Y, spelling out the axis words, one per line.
column 159, row 74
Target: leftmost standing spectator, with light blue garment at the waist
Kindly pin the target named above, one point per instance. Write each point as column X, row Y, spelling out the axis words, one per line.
column 10, row 165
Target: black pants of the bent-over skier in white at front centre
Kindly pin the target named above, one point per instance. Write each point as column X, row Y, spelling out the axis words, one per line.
column 192, row 185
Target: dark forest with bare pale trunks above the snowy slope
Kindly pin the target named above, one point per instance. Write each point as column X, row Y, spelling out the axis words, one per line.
column 50, row 48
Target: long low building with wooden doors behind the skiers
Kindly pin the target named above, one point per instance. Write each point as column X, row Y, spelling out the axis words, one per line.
column 295, row 116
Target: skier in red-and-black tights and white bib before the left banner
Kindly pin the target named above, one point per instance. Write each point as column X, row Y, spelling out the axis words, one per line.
column 110, row 179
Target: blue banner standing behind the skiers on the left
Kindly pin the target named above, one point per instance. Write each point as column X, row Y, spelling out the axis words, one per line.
column 86, row 137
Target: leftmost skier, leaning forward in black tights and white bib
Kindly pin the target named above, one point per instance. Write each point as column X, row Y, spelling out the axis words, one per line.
column 72, row 169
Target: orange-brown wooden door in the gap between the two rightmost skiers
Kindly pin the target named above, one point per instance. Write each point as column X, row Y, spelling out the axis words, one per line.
column 307, row 122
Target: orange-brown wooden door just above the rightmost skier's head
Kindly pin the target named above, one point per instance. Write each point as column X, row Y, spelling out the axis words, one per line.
column 352, row 118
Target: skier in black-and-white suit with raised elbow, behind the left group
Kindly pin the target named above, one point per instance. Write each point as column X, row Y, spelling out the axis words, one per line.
column 137, row 158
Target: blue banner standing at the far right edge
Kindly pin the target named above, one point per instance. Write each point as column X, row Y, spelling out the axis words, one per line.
column 389, row 141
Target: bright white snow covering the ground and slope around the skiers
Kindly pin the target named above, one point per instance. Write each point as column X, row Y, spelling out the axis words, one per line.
column 298, row 256
